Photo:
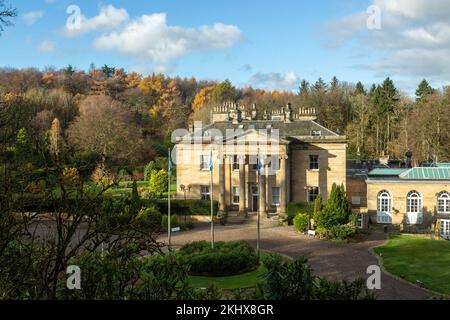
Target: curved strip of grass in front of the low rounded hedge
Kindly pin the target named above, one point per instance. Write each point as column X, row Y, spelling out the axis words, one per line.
column 243, row 281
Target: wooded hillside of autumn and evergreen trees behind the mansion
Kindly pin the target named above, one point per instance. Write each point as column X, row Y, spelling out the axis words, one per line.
column 127, row 118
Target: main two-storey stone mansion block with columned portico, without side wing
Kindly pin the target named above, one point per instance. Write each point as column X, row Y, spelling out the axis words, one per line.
column 308, row 160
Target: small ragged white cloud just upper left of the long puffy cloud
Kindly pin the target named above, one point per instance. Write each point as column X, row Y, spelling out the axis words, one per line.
column 108, row 18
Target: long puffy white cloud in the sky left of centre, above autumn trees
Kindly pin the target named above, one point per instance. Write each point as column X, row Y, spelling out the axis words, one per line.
column 149, row 37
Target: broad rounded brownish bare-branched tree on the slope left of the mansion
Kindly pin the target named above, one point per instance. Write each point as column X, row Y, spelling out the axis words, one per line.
column 107, row 128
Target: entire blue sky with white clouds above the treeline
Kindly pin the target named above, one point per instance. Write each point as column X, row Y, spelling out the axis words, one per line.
column 266, row 44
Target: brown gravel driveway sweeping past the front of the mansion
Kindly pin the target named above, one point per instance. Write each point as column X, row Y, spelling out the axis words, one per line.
column 328, row 259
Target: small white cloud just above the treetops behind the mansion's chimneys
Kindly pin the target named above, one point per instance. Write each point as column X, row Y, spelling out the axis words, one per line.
column 275, row 80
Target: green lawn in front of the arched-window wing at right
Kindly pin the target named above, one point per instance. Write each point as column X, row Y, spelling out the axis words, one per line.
column 419, row 258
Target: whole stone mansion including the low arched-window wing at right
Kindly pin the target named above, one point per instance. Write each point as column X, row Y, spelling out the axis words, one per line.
column 299, row 159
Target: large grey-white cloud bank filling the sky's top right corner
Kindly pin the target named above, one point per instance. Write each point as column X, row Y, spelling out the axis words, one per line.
column 413, row 42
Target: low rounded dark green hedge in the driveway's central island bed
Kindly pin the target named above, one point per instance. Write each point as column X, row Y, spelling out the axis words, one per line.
column 225, row 259
